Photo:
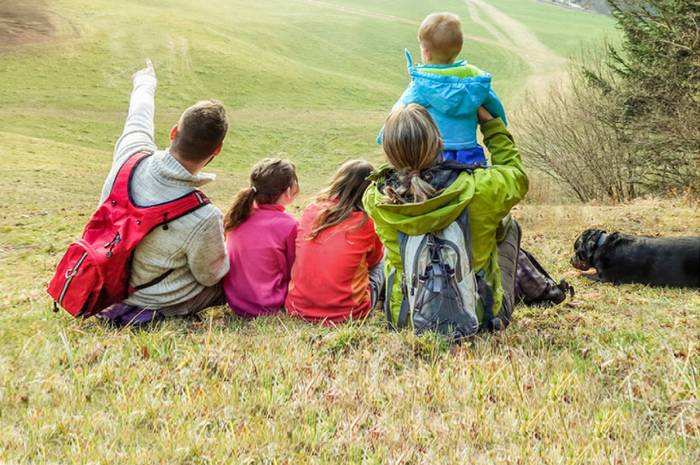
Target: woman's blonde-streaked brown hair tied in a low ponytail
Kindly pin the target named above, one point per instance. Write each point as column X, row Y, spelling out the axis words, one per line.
column 412, row 144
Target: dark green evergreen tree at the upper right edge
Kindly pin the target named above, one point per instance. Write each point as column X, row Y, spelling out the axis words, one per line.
column 658, row 89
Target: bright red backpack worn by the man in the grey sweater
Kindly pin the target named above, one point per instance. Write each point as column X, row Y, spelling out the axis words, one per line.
column 94, row 272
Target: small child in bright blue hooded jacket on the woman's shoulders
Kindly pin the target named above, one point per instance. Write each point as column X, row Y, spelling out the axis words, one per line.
column 451, row 90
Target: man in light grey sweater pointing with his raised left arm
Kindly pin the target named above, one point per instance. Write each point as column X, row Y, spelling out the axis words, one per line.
column 184, row 261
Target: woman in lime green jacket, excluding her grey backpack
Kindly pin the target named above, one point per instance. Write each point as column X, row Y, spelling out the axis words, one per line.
column 417, row 193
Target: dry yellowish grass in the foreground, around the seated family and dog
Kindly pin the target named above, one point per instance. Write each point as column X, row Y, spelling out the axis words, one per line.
column 609, row 377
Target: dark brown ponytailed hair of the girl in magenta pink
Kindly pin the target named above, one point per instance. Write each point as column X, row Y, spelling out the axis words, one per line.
column 268, row 181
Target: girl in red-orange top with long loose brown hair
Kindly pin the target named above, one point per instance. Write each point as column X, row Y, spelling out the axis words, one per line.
column 338, row 272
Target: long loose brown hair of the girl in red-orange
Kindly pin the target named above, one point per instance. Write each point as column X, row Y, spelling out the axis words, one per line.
column 345, row 189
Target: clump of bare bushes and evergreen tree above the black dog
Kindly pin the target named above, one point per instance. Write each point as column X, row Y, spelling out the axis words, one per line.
column 628, row 123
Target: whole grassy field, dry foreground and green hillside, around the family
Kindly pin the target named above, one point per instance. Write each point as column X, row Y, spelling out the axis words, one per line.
column 609, row 377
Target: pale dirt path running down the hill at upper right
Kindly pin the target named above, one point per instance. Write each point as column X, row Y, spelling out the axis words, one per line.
column 547, row 68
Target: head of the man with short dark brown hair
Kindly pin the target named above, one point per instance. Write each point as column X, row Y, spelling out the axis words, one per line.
column 201, row 129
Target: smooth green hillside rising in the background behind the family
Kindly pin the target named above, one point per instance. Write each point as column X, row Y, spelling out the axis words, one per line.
column 301, row 77
